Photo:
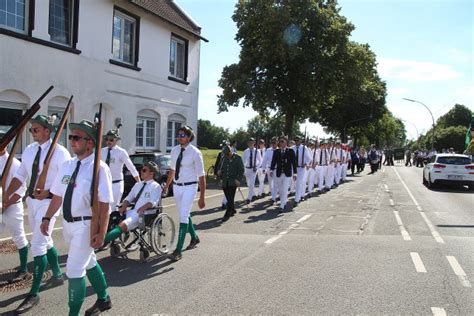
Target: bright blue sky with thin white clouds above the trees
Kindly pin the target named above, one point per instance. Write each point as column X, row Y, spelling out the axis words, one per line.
column 424, row 52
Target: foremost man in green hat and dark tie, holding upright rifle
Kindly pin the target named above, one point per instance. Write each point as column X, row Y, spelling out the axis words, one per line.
column 72, row 190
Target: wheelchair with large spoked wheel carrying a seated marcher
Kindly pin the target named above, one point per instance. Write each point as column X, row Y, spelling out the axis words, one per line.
column 156, row 233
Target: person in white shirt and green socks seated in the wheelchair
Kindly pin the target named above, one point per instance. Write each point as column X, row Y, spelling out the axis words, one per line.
column 143, row 196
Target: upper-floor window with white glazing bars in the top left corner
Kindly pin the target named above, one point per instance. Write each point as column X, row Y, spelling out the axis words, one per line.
column 14, row 15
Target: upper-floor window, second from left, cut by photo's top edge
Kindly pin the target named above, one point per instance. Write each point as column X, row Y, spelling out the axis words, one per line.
column 61, row 21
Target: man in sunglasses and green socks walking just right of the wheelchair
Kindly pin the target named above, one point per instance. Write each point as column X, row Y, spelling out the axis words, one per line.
column 187, row 169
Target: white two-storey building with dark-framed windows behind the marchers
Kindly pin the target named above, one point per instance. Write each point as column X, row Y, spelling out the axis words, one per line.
column 139, row 58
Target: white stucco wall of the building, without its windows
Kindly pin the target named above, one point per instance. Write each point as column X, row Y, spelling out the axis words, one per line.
column 29, row 68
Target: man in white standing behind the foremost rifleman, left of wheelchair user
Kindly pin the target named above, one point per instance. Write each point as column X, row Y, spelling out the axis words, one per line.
column 115, row 157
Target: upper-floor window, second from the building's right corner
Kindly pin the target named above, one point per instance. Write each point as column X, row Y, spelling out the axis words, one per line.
column 125, row 38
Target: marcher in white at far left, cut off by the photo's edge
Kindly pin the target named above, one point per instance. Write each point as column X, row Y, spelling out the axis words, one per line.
column 13, row 215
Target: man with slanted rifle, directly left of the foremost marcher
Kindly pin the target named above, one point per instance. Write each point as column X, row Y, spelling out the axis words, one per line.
column 42, row 247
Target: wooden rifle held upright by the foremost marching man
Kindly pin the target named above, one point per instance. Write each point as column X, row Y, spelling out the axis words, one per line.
column 95, row 221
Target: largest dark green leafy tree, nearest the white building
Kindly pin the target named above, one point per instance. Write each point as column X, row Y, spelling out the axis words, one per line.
column 289, row 59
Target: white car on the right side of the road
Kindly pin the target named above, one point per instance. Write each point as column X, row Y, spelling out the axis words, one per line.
column 449, row 168
